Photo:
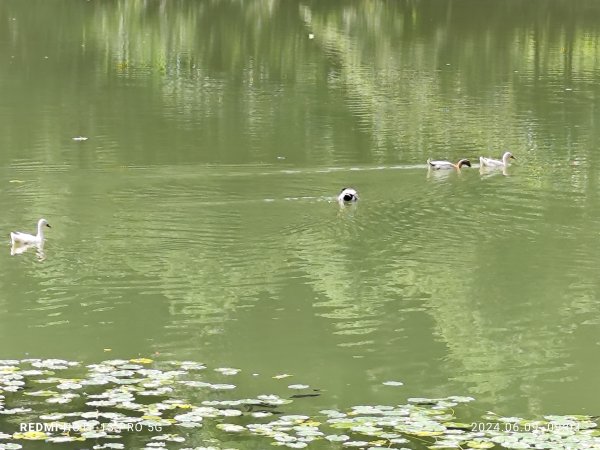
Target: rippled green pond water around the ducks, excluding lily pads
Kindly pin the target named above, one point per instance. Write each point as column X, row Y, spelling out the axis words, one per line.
column 199, row 221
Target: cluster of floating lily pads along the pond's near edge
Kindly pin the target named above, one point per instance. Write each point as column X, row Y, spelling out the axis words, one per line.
column 59, row 401
